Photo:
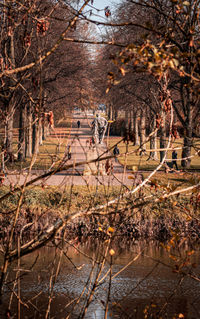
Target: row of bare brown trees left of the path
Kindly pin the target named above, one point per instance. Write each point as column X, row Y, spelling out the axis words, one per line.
column 47, row 70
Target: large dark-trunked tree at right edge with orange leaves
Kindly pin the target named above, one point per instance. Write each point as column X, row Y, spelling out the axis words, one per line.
column 162, row 43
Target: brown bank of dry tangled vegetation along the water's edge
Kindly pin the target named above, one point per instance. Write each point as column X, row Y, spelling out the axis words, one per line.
column 129, row 225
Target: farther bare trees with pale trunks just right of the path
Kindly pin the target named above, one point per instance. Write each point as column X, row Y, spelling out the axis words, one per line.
column 127, row 90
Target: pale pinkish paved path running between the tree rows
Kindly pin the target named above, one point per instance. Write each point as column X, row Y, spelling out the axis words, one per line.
column 81, row 151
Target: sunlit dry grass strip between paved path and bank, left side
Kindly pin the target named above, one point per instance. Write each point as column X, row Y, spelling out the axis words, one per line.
column 62, row 198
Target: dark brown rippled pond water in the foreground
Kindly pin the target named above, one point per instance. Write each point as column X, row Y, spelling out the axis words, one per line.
column 149, row 287
